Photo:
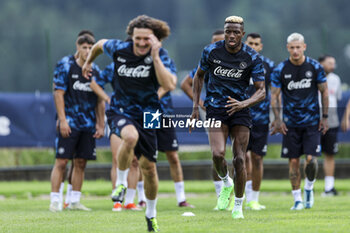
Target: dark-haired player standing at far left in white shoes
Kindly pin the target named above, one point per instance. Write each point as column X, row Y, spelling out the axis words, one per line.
column 78, row 124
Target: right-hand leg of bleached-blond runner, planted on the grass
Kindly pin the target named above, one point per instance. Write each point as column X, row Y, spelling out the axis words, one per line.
column 240, row 136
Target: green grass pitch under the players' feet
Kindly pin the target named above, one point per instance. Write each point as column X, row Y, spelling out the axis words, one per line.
column 29, row 212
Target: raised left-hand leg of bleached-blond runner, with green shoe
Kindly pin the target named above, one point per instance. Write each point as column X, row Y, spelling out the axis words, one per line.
column 217, row 140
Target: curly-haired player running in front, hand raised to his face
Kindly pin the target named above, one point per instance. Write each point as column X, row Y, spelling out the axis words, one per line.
column 141, row 67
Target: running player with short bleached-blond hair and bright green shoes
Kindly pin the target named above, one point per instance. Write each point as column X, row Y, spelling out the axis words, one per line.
column 230, row 65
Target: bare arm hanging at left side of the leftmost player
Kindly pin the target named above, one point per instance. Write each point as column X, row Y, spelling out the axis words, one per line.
column 64, row 128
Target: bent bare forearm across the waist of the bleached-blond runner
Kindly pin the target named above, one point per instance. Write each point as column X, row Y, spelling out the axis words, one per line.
column 235, row 105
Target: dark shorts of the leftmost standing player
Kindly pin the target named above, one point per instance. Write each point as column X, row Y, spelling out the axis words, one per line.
column 79, row 144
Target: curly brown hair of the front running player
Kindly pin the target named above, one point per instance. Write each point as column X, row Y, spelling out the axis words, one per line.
column 160, row 28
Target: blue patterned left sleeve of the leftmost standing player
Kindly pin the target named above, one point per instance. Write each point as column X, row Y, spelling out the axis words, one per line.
column 60, row 75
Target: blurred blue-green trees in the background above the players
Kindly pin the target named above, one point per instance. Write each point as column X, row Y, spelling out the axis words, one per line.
column 32, row 41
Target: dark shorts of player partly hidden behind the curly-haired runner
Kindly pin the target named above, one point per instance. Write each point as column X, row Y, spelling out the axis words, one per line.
column 167, row 140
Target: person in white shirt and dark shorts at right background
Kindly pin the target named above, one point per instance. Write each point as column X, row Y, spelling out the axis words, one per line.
column 329, row 141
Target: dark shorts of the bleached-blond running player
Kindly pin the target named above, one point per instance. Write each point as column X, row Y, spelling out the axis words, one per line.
column 242, row 117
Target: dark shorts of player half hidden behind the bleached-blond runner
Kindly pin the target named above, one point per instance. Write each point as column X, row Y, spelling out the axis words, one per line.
column 258, row 139
